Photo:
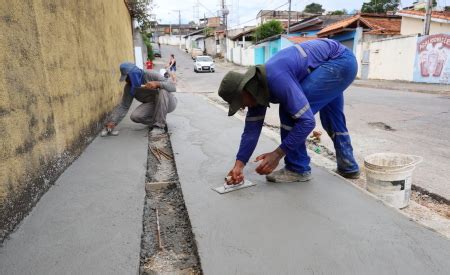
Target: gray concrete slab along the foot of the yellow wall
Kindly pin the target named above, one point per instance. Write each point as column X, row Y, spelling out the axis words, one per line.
column 90, row 222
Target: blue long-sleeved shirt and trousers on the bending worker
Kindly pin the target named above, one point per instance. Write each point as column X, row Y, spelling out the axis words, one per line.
column 304, row 79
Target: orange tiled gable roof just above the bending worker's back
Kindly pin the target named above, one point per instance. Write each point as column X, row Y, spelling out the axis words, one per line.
column 378, row 24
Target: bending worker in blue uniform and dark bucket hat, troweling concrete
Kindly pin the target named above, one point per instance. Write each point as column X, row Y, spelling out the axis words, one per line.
column 303, row 79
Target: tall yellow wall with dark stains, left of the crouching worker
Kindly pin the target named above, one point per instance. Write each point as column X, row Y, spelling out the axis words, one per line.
column 58, row 79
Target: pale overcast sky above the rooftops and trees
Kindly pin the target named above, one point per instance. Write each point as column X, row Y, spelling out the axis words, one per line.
column 242, row 11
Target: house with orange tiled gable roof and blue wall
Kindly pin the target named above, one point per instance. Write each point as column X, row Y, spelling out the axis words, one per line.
column 362, row 26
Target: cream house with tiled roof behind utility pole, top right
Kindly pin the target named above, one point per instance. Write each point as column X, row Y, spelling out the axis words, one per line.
column 413, row 22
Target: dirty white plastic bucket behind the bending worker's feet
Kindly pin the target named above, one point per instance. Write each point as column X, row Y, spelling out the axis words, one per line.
column 389, row 177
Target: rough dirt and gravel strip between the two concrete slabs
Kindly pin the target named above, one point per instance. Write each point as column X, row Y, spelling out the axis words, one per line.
column 169, row 248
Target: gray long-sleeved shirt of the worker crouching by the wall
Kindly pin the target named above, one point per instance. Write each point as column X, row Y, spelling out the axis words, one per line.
column 142, row 95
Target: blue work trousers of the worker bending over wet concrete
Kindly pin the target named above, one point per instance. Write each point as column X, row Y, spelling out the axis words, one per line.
column 324, row 88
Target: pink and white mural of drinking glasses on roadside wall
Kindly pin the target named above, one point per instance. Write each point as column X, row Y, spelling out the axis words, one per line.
column 432, row 63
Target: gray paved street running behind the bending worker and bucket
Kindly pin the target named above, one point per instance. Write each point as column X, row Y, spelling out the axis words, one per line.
column 420, row 122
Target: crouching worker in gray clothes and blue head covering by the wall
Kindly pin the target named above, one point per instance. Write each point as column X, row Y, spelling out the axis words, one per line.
column 153, row 90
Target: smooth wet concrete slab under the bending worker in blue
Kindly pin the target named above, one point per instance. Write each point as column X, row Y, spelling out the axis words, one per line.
column 325, row 226
